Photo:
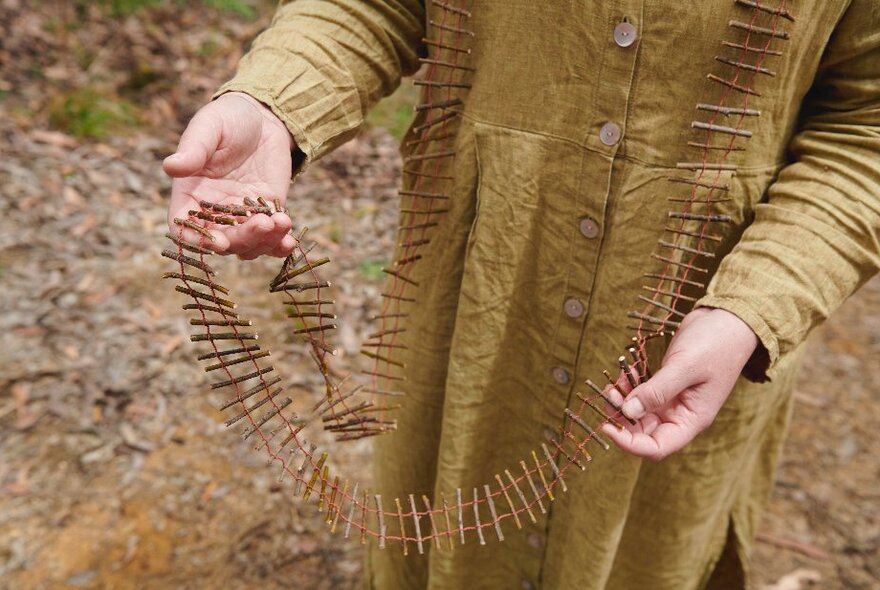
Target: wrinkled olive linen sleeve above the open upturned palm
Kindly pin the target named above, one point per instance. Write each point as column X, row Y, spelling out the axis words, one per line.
column 322, row 64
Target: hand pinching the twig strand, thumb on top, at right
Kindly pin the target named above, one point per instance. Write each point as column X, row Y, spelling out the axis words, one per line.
column 696, row 376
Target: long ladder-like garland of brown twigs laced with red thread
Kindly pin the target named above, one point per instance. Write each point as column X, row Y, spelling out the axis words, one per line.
column 675, row 278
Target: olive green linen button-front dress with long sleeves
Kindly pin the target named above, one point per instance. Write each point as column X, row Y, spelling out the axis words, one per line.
column 526, row 283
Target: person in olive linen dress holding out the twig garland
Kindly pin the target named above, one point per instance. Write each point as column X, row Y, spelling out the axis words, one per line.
column 567, row 122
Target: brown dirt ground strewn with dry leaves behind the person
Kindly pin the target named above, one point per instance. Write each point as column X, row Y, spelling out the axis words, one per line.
column 115, row 468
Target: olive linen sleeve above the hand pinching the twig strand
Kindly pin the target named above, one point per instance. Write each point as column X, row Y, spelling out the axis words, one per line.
column 816, row 239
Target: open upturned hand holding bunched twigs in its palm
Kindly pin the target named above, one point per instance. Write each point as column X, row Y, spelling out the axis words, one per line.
column 234, row 147
